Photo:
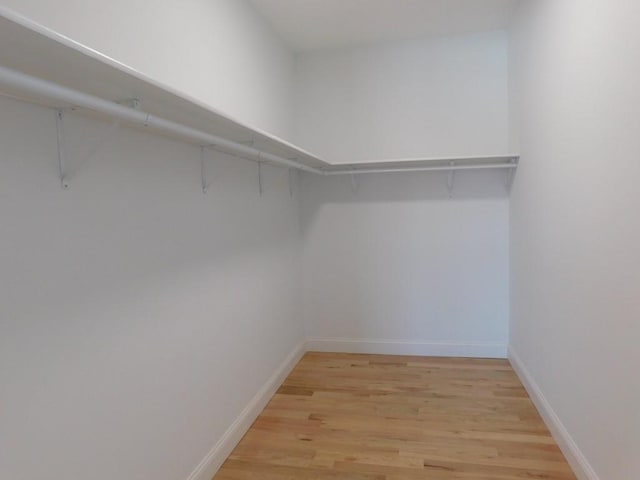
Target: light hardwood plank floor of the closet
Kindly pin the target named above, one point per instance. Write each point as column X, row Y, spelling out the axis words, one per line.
column 378, row 417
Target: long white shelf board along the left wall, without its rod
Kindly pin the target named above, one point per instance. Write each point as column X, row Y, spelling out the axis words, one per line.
column 35, row 50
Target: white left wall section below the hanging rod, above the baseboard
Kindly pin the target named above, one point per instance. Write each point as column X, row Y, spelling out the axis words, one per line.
column 138, row 316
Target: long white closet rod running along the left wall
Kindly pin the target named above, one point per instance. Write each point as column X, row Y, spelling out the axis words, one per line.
column 57, row 93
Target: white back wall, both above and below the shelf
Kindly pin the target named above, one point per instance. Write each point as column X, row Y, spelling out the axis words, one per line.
column 398, row 267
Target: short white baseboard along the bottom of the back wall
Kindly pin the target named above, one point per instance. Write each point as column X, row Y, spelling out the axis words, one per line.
column 407, row 347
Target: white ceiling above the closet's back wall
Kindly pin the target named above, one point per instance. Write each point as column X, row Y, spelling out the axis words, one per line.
column 317, row 24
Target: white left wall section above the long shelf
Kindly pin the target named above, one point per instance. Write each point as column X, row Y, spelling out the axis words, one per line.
column 220, row 52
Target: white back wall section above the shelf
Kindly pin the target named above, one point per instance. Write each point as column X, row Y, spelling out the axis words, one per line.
column 432, row 97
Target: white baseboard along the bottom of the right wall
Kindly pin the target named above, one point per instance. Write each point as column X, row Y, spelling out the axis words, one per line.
column 570, row 449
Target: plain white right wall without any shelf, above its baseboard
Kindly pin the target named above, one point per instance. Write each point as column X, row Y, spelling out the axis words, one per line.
column 575, row 231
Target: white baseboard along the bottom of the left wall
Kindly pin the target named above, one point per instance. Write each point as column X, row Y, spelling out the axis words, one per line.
column 223, row 448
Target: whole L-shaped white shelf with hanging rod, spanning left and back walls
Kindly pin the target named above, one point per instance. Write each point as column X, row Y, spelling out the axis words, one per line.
column 42, row 66
